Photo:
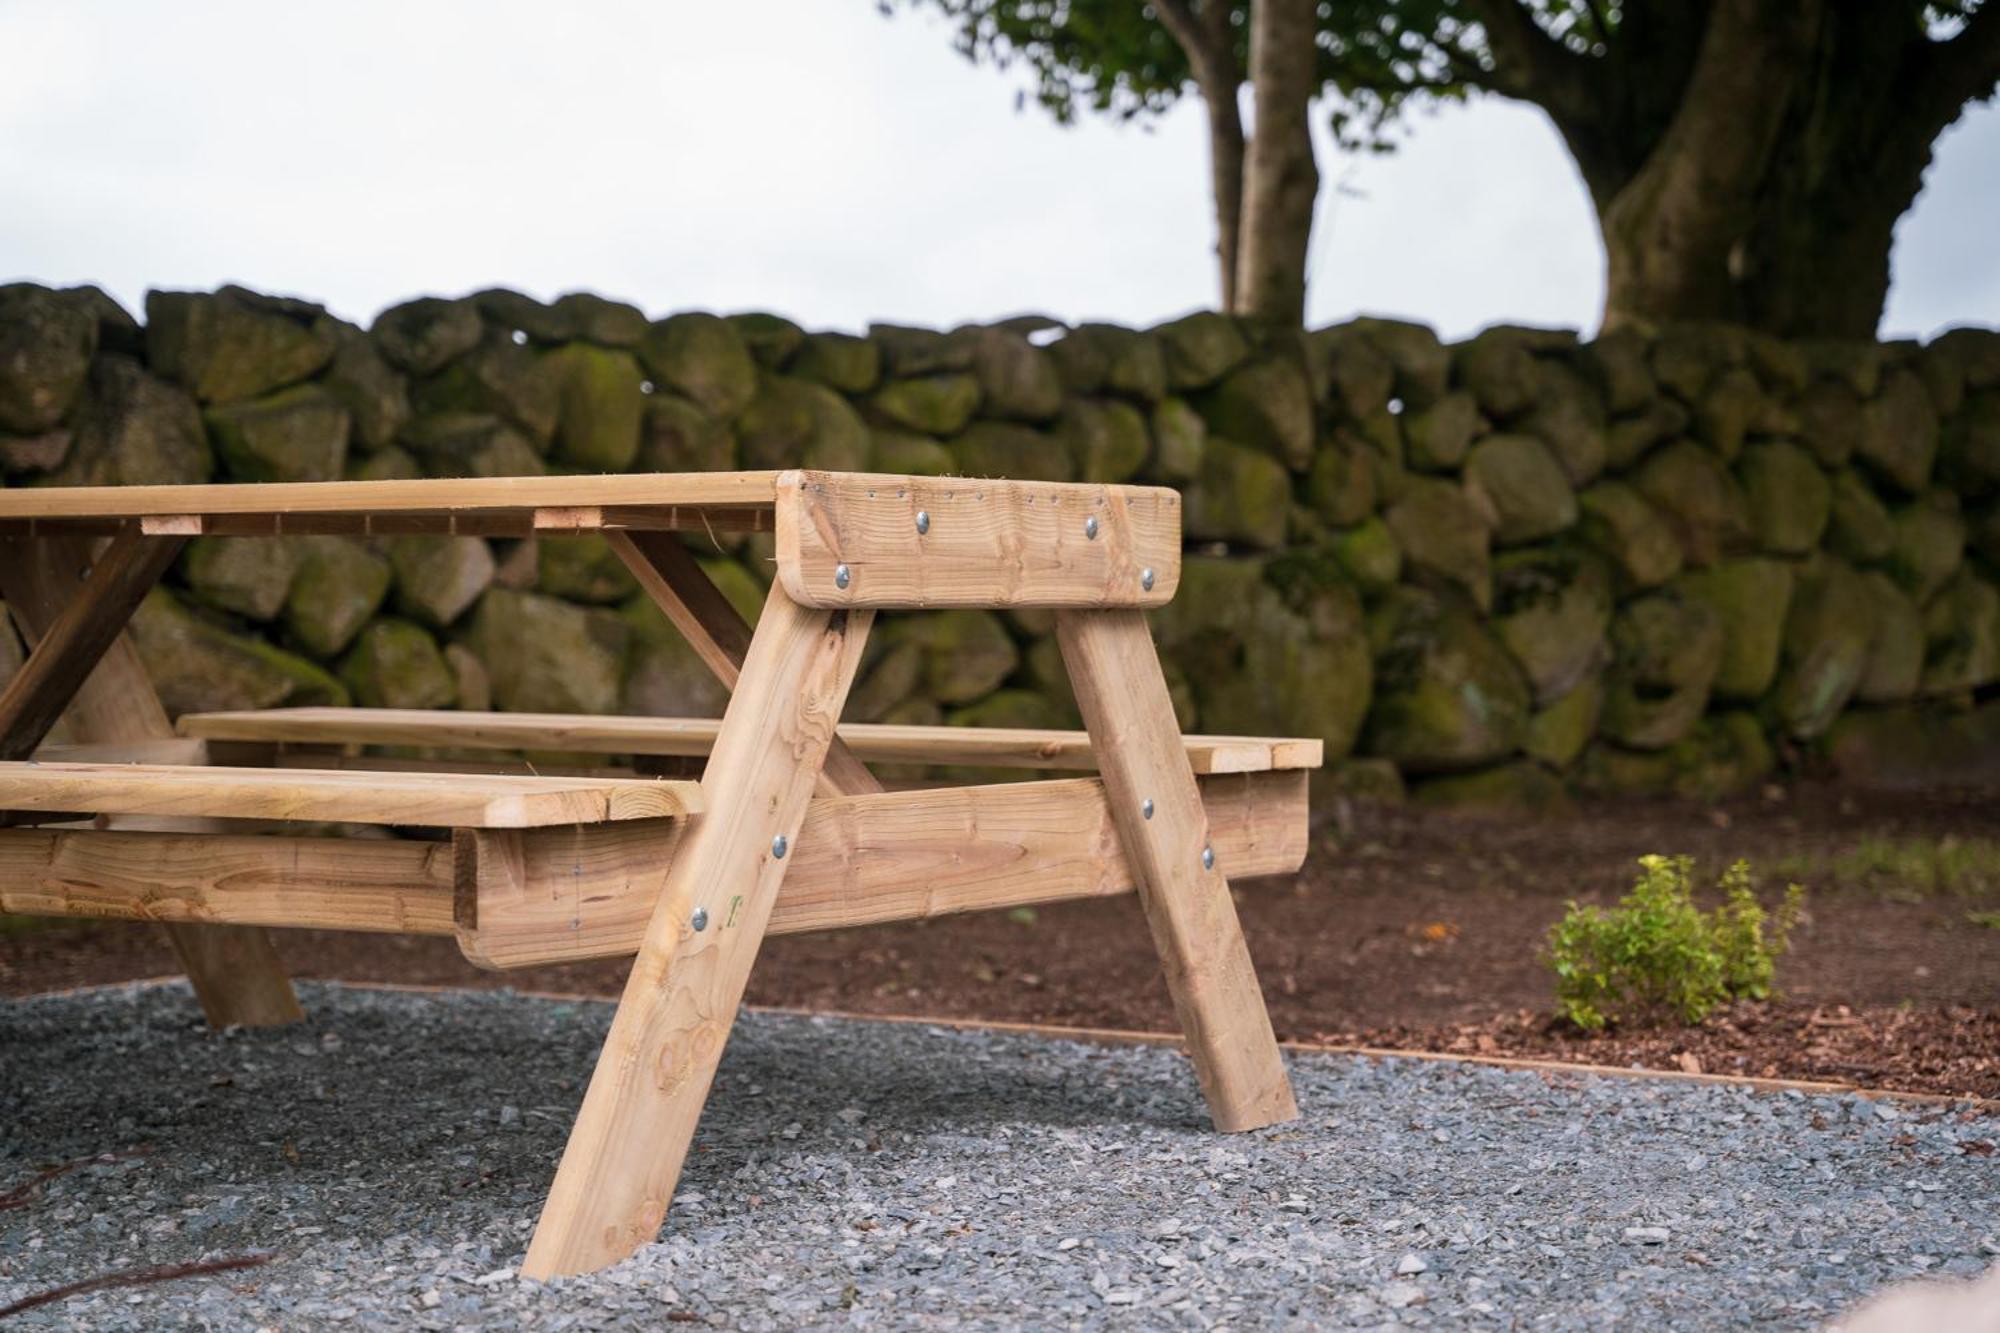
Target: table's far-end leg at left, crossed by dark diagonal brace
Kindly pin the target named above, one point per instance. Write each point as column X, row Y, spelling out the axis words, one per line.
column 235, row 972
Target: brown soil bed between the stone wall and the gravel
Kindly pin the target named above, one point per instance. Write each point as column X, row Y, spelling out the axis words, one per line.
column 1407, row 930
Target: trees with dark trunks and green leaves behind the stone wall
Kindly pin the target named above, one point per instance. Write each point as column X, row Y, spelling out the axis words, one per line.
column 1747, row 159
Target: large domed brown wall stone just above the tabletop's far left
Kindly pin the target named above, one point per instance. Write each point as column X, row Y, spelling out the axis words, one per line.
column 135, row 431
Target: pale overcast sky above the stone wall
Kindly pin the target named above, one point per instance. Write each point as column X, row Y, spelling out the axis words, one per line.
column 805, row 157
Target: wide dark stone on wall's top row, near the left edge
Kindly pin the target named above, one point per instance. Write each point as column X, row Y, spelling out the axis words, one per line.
column 233, row 343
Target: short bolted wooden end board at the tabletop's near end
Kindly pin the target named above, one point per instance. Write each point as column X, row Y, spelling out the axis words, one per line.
column 949, row 541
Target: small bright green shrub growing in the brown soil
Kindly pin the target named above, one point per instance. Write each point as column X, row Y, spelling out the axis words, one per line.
column 1659, row 954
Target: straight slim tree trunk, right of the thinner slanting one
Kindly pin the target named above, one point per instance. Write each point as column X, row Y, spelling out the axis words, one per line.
column 1281, row 179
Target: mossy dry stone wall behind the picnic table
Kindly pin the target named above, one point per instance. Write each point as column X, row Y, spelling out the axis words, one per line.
column 1497, row 571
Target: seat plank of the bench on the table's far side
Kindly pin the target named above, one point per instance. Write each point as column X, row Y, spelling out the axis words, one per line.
column 1001, row 748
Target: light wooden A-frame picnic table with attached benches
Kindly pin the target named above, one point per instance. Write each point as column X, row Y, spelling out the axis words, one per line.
column 787, row 828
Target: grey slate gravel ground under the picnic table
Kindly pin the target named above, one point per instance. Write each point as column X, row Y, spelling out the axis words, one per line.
column 393, row 1154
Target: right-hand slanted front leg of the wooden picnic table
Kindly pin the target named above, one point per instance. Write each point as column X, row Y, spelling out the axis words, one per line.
column 1165, row 832
